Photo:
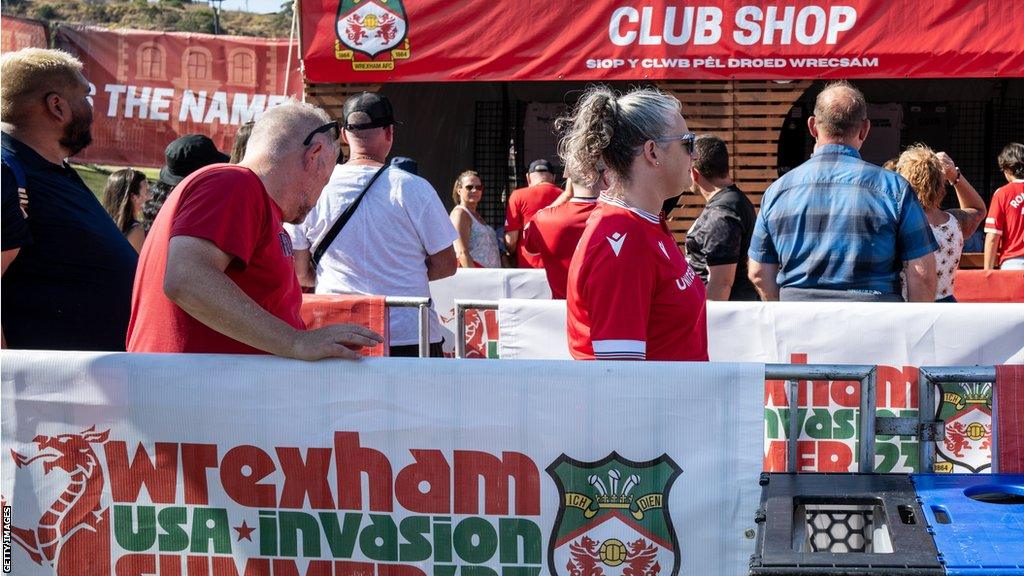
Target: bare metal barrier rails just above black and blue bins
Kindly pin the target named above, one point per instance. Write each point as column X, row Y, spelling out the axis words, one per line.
column 927, row 429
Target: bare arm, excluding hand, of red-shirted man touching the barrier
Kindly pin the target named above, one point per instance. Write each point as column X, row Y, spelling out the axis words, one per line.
column 211, row 298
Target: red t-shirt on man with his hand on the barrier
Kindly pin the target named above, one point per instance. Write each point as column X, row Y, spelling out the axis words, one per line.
column 229, row 207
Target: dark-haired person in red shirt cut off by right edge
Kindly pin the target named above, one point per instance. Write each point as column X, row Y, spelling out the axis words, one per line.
column 1005, row 225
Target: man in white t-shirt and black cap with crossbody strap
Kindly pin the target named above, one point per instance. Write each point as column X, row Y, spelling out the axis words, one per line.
column 399, row 238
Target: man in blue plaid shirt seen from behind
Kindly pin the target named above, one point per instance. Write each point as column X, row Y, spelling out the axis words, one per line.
column 838, row 228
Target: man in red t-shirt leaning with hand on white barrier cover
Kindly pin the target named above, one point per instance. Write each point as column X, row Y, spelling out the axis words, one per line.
column 217, row 273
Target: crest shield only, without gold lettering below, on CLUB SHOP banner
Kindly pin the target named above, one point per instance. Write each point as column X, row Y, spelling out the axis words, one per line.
column 371, row 27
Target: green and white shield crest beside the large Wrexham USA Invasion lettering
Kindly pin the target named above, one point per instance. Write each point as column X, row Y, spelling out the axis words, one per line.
column 614, row 518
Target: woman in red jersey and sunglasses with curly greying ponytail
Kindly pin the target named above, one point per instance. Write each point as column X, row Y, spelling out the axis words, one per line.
column 631, row 295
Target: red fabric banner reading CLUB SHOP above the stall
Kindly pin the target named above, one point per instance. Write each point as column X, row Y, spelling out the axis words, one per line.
column 484, row 40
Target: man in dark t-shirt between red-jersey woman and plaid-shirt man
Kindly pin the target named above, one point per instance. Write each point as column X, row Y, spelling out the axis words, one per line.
column 717, row 242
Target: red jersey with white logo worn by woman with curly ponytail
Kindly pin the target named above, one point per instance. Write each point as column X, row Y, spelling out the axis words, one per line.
column 631, row 294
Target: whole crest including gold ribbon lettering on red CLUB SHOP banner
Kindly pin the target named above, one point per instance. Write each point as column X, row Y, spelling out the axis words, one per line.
column 368, row 29
